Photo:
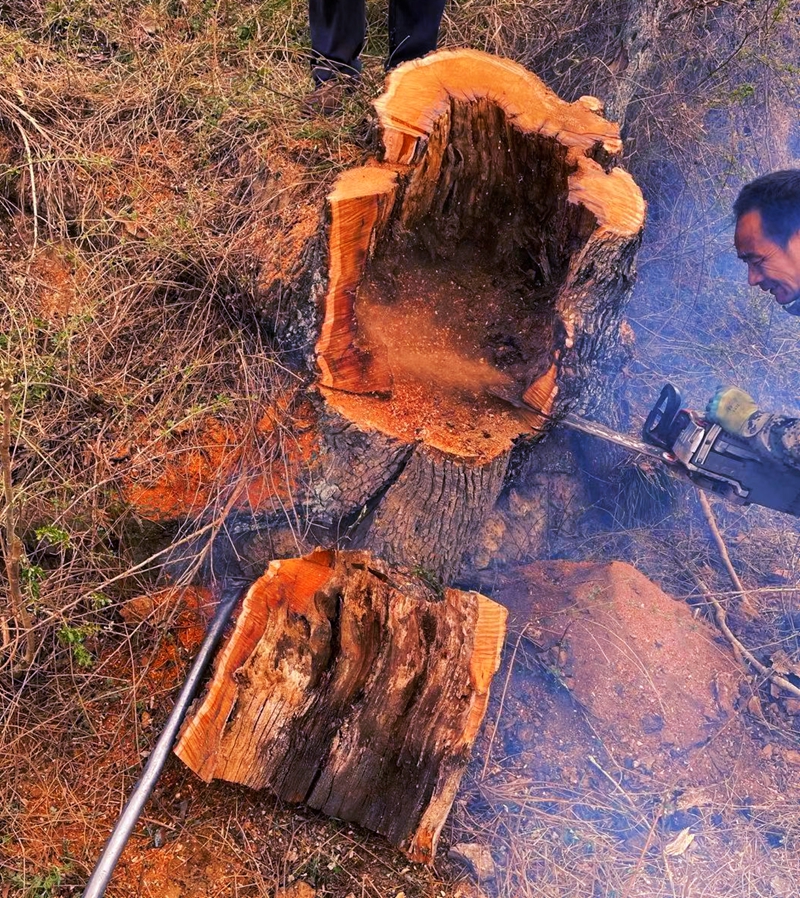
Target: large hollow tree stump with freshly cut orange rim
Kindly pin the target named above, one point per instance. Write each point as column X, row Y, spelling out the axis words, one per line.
column 476, row 281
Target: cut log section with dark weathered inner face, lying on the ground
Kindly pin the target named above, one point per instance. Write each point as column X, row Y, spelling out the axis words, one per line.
column 353, row 688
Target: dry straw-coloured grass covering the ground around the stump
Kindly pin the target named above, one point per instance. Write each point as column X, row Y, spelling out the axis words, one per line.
column 158, row 185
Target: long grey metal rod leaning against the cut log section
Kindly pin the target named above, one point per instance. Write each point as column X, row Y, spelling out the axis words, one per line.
column 104, row 869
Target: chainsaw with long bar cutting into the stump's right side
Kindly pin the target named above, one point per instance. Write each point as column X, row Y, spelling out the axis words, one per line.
column 704, row 453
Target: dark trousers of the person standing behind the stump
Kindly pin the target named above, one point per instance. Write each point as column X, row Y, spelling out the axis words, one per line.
column 338, row 30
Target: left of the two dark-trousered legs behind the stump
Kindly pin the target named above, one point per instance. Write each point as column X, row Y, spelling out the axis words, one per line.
column 337, row 37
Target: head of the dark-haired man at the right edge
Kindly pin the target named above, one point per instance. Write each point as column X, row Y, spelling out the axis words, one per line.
column 767, row 235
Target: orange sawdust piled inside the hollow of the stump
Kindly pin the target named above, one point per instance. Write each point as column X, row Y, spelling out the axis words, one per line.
column 451, row 333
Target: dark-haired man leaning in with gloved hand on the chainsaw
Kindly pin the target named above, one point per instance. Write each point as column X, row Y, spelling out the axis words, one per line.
column 767, row 239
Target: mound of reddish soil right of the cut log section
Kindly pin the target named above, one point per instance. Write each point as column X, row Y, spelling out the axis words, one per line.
column 652, row 679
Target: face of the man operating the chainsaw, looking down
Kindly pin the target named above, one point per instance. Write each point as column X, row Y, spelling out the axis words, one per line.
column 769, row 266
